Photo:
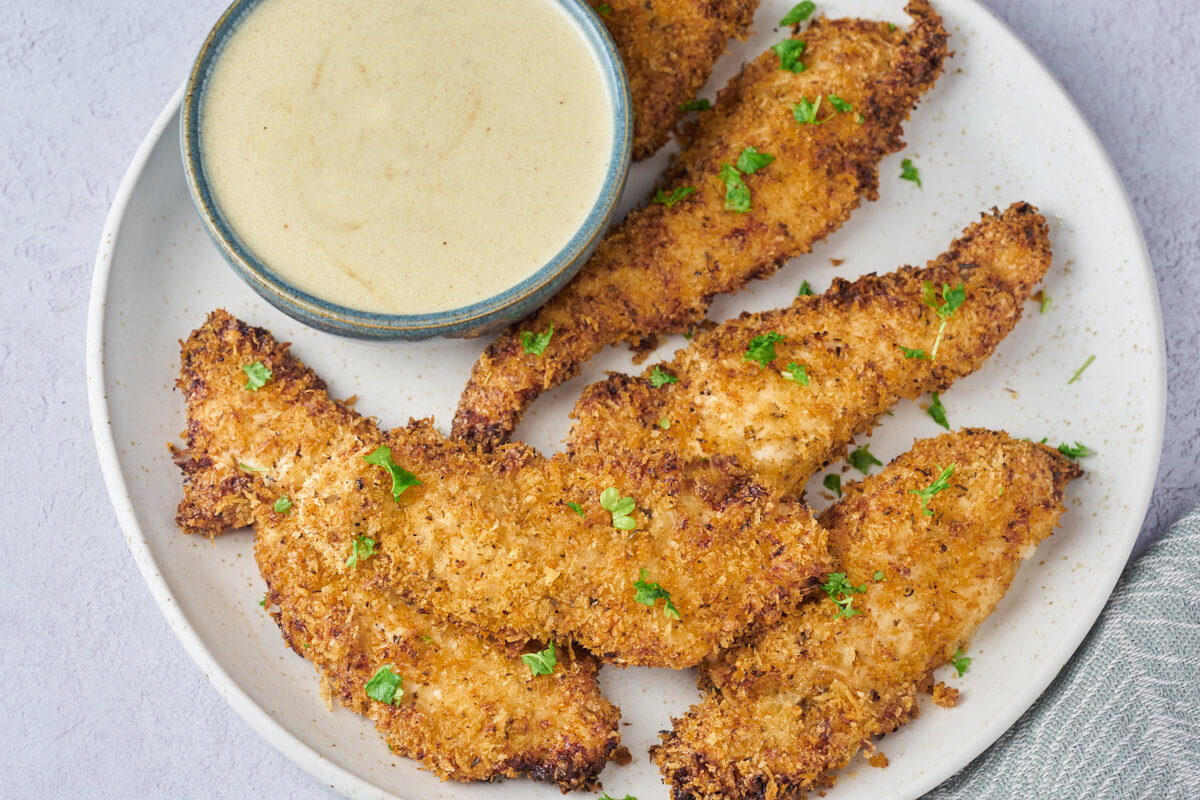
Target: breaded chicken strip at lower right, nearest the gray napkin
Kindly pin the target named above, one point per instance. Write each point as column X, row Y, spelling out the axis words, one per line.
column 801, row 700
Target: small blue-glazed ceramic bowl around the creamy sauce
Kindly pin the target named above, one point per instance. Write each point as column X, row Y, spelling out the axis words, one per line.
column 477, row 320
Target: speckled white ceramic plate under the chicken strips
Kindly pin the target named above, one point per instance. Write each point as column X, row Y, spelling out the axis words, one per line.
column 997, row 129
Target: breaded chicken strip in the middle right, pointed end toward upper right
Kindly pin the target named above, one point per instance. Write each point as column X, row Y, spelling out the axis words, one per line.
column 849, row 342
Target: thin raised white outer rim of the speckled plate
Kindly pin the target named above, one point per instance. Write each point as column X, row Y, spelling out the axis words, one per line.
column 341, row 779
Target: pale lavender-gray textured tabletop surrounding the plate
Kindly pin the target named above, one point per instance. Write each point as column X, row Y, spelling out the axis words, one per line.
column 100, row 700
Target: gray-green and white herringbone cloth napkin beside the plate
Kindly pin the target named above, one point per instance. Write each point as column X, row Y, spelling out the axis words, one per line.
column 1123, row 720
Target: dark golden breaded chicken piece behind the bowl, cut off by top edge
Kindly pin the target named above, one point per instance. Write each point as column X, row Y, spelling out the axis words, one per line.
column 669, row 49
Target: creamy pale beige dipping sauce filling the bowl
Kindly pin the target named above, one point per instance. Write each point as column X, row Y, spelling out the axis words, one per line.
column 406, row 157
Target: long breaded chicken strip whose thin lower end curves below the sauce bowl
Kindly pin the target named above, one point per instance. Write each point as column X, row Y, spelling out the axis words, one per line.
column 659, row 270
